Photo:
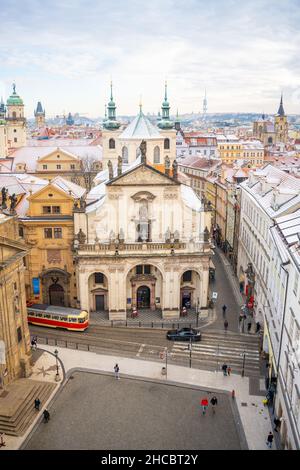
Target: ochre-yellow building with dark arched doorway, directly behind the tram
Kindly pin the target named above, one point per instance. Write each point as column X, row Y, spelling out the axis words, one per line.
column 48, row 229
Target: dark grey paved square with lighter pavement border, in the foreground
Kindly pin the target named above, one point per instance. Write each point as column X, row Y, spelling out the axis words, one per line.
column 99, row 412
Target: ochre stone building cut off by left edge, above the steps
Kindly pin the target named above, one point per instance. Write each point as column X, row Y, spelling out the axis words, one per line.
column 15, row 352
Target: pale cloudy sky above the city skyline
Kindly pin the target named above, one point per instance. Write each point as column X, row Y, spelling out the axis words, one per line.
column 64, row 52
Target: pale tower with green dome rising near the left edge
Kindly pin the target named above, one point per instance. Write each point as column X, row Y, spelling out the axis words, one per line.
column 16, row 122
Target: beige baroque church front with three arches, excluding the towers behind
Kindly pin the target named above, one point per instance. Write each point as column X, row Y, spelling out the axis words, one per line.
column 142, row 242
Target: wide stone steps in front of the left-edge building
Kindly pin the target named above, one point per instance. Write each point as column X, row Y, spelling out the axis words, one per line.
column 17, row 410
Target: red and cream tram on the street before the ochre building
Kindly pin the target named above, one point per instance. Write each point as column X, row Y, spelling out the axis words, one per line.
column 58, row 317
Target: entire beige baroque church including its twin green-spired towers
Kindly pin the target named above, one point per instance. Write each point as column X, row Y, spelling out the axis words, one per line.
column 142, row 239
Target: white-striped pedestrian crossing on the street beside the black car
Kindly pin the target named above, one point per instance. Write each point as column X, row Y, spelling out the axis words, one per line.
column 216, row 348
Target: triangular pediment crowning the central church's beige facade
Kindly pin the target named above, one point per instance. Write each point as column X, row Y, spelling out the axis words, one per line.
column 143, row 175
